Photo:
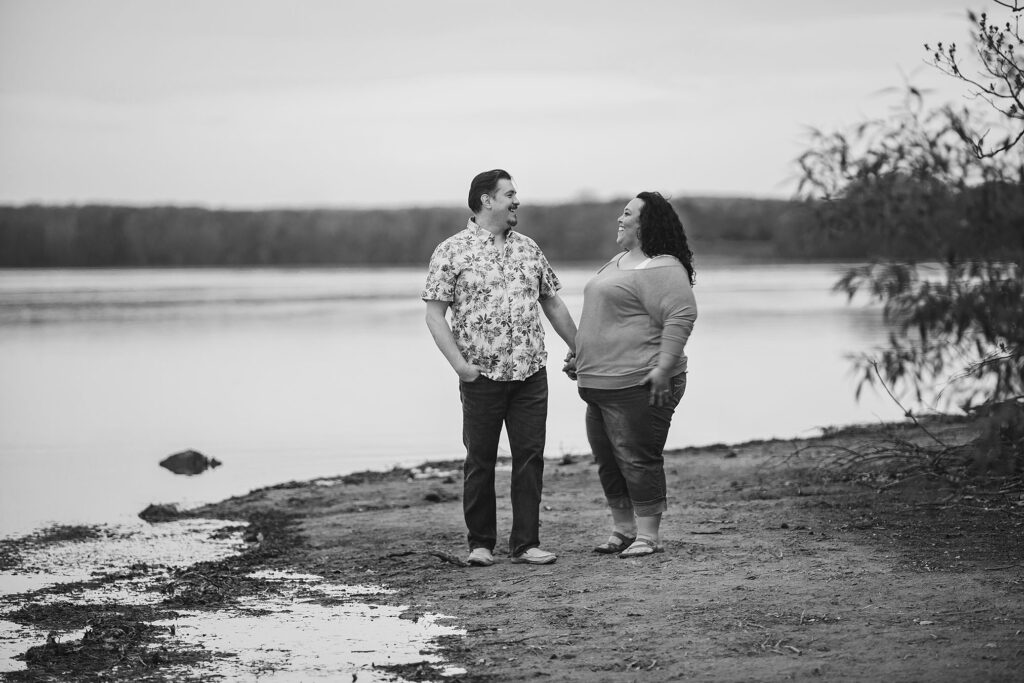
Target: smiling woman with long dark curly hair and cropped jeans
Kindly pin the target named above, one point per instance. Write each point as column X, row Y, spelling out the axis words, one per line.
column 638, row 312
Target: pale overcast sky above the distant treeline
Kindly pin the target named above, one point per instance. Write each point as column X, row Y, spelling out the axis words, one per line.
column 327, row 103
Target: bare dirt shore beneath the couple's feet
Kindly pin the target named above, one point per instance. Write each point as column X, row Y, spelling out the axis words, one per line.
column 780, row 565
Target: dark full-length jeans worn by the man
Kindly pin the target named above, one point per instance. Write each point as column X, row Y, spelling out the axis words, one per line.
column 523, row 408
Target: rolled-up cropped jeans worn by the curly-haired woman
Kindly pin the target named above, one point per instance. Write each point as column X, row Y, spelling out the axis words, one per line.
column 627, row 436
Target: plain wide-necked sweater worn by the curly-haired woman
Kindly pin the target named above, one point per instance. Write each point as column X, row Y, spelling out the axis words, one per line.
column 629, row 319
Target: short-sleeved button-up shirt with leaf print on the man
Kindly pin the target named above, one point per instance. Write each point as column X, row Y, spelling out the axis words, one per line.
column 495, row 297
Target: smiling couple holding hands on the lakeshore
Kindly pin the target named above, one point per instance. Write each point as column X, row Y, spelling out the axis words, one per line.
column 627, row 358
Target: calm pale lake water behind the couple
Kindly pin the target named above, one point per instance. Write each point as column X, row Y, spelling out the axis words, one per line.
column 294, row 374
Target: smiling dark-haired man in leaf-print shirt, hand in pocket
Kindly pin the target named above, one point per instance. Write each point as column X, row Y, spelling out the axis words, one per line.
column 493, row 279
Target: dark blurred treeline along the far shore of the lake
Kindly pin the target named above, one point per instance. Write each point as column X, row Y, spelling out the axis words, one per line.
column 119, row 236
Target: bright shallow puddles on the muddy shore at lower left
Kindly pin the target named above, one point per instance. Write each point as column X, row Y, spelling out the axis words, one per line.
column 303, row 628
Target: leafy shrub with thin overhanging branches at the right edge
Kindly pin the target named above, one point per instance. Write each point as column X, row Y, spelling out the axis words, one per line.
column 938, row 194
